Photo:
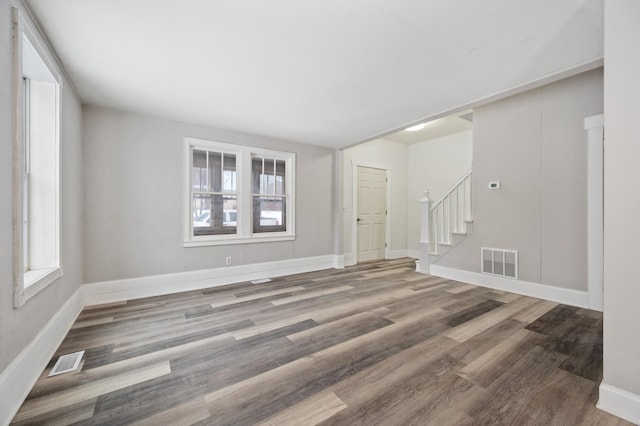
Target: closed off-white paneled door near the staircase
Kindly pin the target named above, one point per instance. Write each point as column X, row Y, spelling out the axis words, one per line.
column 371, row 213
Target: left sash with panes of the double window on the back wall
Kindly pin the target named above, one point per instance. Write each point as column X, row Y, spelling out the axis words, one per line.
column 215, row 198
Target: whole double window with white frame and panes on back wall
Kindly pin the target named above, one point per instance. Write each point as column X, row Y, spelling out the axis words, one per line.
column 237, row 194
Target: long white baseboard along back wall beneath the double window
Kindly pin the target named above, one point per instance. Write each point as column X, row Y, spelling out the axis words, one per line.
column 158, row 285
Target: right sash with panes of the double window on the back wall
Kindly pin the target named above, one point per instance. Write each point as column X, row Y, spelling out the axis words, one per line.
column 269, row 195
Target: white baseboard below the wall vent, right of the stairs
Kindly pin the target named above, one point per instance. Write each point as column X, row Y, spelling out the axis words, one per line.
column 541, row 291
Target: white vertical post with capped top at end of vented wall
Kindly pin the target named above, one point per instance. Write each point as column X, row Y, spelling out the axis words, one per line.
column 594, row 126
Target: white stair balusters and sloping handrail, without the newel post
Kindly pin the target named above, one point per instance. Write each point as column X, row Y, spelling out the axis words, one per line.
column 451, row 213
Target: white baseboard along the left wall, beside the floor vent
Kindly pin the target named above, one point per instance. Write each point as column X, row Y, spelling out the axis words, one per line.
column 17, row 380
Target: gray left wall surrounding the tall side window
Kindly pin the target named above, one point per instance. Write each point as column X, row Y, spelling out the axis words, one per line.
column 18, row 327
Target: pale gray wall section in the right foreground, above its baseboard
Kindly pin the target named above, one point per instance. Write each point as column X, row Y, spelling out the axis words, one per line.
column 621, row 198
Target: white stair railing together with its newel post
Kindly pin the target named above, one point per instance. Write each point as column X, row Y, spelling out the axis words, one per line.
column 446, row 222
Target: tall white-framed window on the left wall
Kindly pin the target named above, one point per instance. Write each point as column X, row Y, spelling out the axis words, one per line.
column 27, row 281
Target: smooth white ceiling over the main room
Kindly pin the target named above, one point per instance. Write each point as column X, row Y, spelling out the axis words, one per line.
column 330, row 72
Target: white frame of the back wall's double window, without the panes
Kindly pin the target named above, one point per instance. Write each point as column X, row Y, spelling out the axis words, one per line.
column 244, row 155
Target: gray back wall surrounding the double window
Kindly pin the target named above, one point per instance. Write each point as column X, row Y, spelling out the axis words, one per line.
column 133, row 181
